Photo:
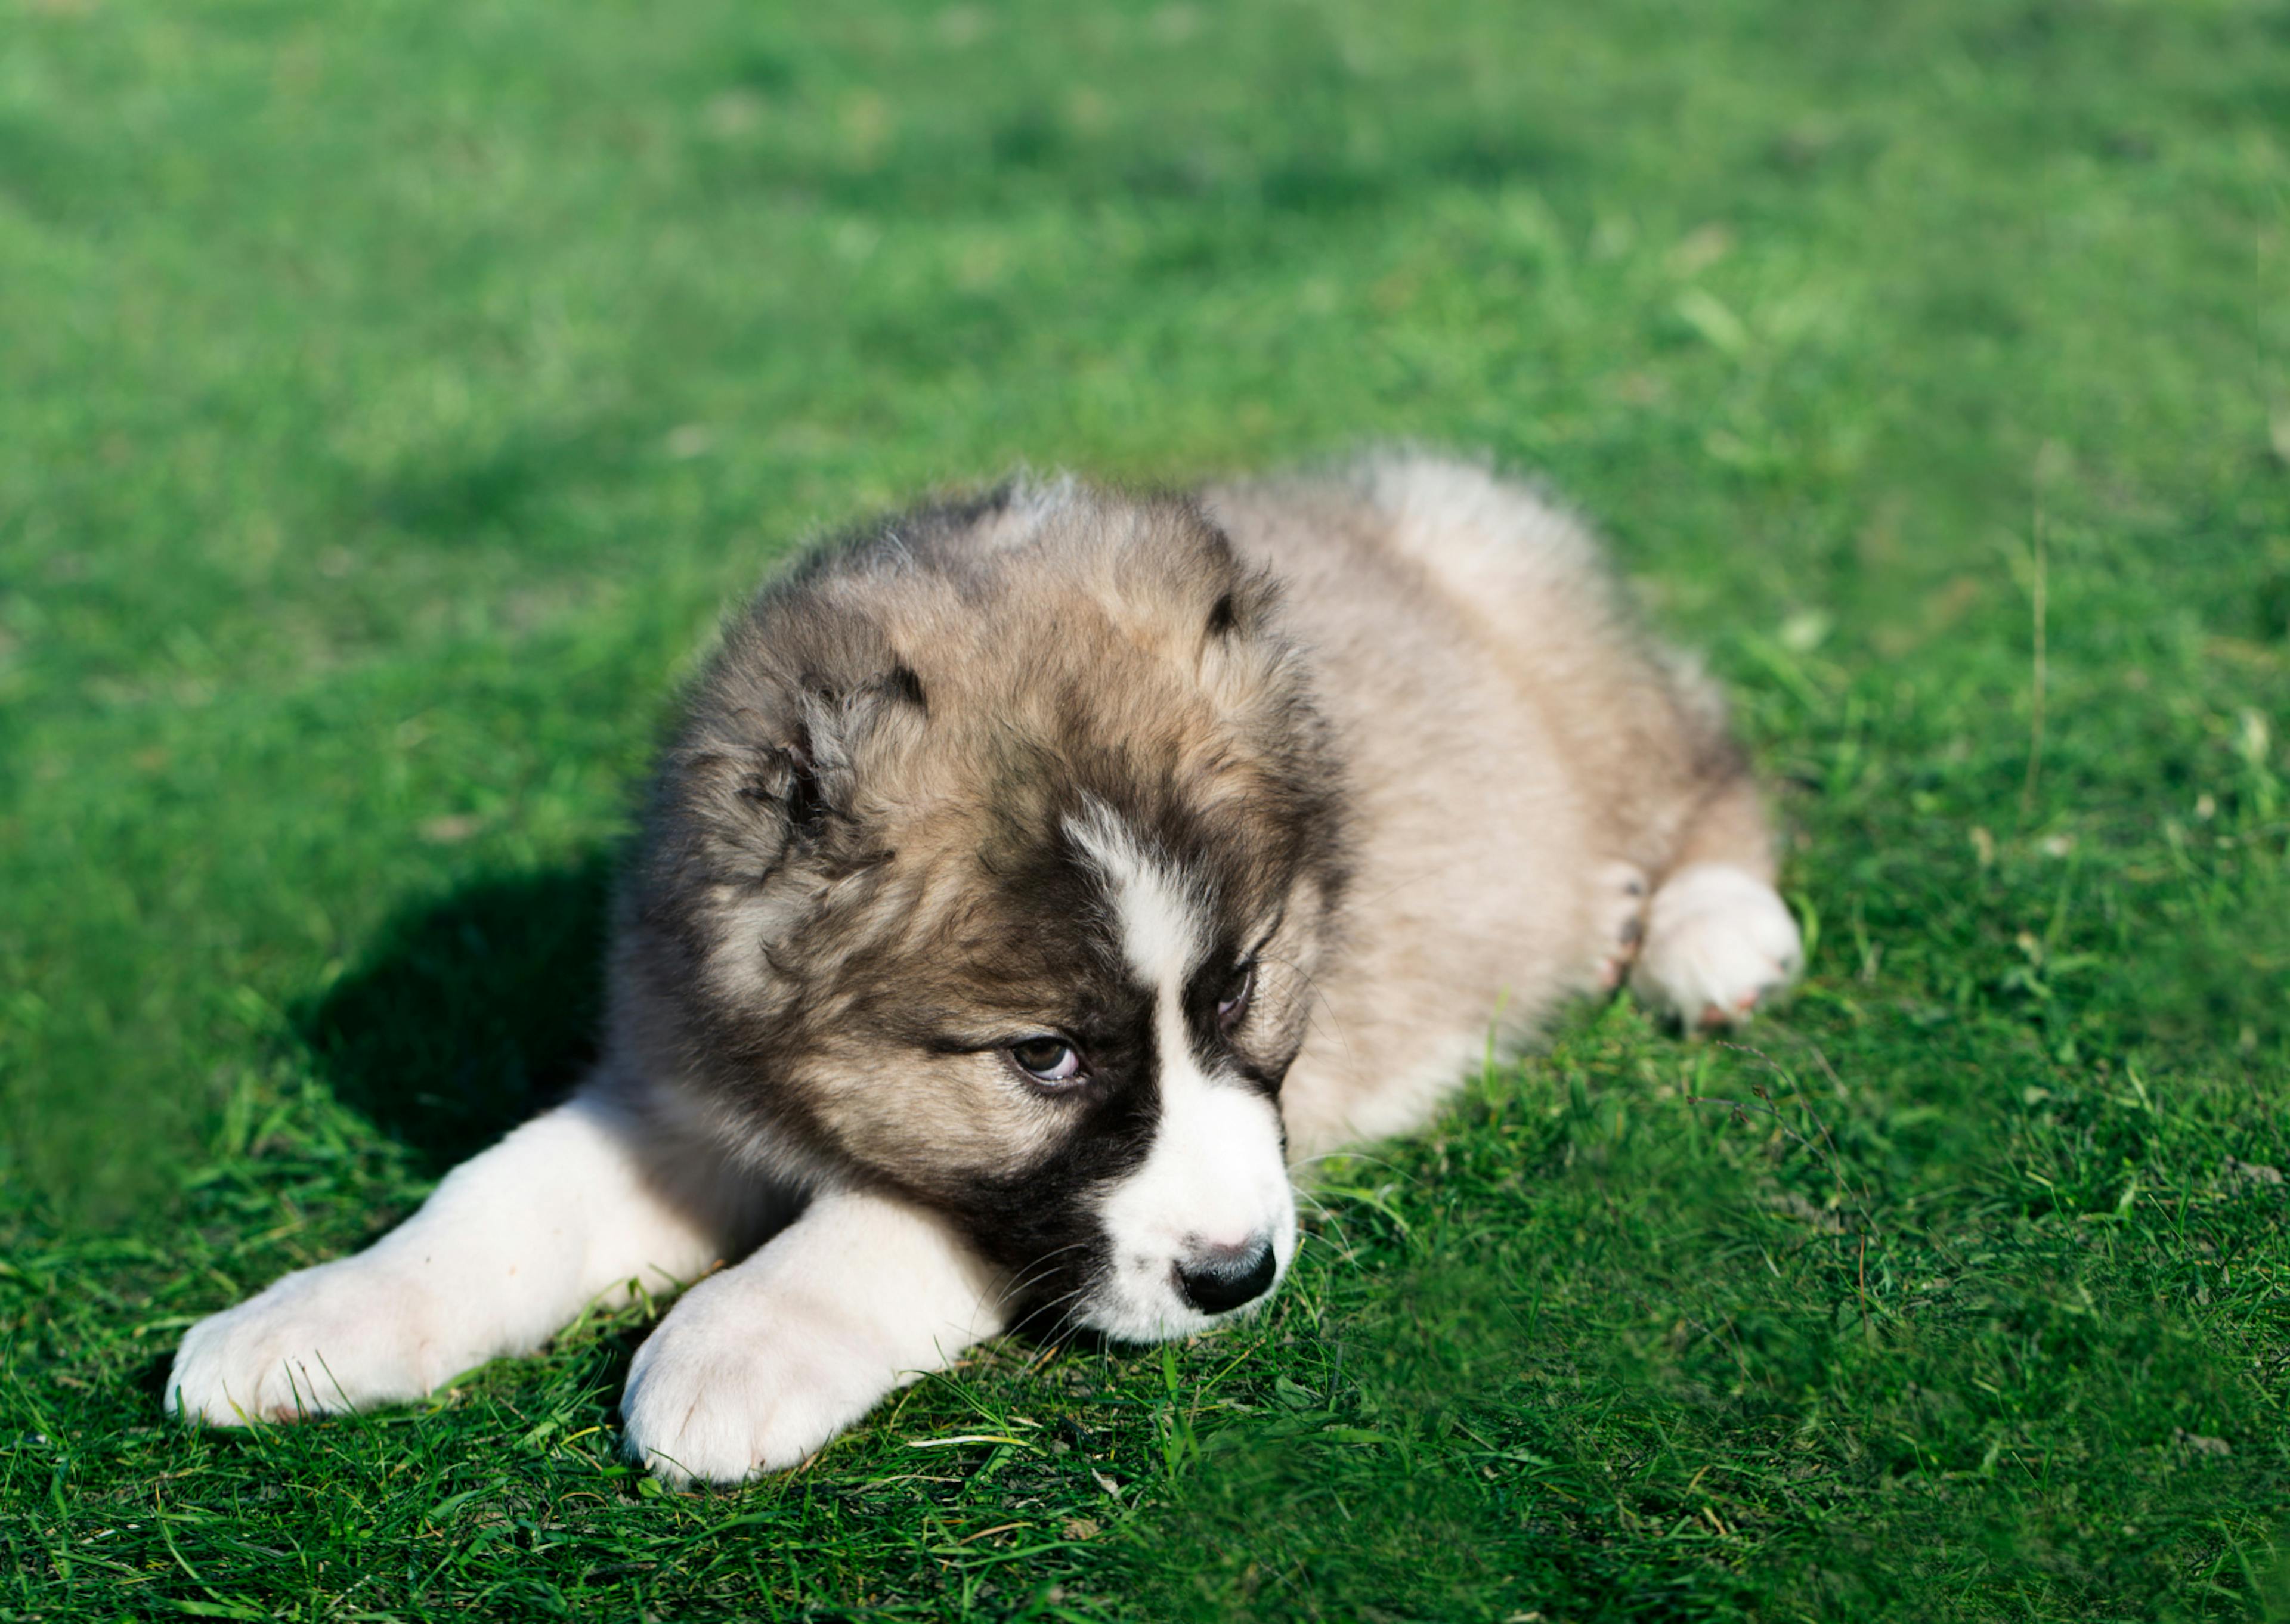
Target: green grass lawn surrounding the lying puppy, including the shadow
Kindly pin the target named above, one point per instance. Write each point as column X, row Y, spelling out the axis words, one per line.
column 393, row 397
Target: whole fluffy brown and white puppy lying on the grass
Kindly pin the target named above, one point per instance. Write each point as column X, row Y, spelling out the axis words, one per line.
column 1029, row 883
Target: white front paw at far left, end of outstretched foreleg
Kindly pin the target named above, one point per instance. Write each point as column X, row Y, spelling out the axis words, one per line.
column 331, row 1339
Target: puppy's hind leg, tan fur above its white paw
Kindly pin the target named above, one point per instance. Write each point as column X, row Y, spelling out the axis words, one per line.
column 1719, row 938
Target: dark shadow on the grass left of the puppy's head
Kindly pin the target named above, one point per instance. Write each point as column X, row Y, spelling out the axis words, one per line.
column 473, row 1011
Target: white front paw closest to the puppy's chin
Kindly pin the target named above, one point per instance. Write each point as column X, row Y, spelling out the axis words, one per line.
column 732, row 1387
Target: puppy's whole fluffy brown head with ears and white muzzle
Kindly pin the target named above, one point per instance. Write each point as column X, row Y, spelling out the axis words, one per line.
column 995, row 865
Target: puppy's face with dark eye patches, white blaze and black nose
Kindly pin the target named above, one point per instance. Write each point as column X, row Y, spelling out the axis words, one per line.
column 1087, row 1069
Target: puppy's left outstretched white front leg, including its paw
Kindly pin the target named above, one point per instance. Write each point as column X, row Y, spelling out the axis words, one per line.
column 512, row 1245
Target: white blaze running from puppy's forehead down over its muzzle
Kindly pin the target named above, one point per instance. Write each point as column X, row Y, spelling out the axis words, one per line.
column 1217, row 1174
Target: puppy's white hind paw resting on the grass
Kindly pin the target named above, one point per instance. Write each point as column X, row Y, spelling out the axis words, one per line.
column 1719, row 943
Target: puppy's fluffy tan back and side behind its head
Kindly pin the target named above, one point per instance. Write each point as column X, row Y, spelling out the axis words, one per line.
column 1513, row 741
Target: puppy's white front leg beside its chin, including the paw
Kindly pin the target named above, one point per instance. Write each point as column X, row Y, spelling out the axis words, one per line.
column 764, row 1364
